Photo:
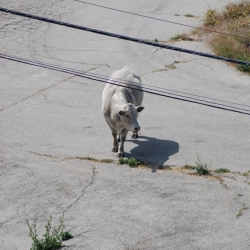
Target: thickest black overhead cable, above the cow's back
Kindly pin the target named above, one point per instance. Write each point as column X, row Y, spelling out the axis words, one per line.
column 127, row 38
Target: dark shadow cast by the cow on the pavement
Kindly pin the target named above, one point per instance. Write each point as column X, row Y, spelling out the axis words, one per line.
column 152, row 150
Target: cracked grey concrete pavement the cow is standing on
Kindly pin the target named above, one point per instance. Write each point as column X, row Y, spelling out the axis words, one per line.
column 49, row 118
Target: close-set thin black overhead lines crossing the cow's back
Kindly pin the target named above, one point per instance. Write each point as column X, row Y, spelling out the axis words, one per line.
column 118, row 83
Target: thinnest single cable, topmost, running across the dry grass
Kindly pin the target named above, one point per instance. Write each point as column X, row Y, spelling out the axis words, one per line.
column 159, row 19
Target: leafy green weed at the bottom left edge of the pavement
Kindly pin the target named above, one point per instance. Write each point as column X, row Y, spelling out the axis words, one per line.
column 53, row 237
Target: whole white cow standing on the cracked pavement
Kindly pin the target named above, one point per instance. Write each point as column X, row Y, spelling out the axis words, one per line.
column 120, row 106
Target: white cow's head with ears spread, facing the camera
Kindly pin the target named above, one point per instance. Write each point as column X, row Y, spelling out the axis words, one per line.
column 128, row 115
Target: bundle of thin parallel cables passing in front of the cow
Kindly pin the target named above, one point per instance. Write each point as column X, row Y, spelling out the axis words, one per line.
column 121, row 83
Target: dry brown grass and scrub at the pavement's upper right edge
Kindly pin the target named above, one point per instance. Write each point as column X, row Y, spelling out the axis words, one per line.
column 235, row 20
